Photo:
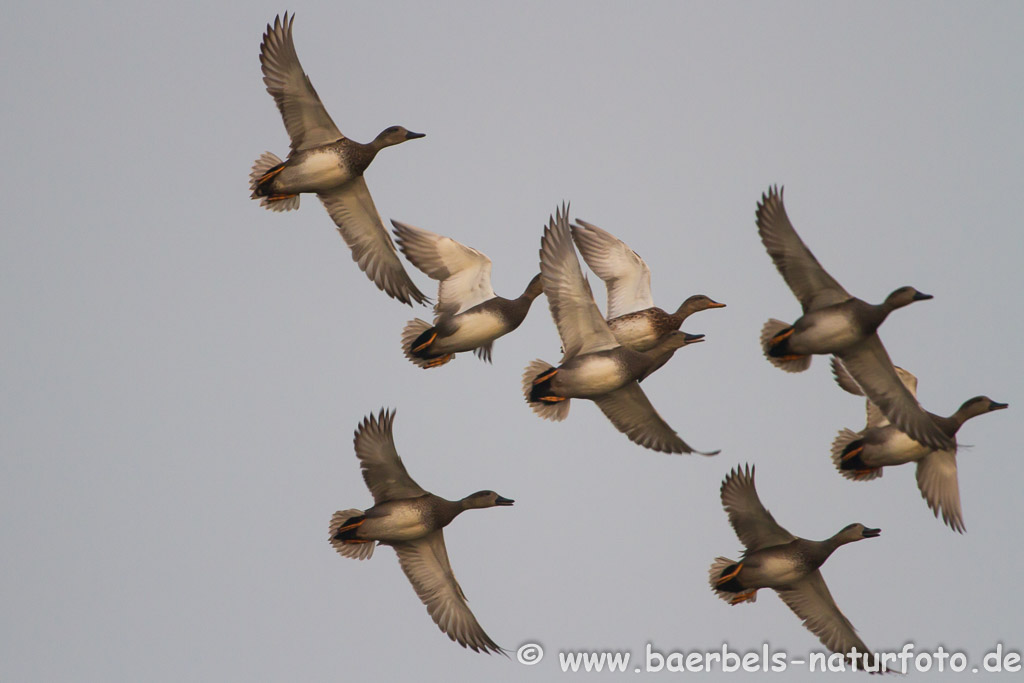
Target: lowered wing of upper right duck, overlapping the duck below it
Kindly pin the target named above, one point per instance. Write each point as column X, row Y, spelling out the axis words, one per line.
column 871, row 367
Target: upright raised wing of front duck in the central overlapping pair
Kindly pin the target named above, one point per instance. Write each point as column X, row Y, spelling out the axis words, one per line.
column 581, row 326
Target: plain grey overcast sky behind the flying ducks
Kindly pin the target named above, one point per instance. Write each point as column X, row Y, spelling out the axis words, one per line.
column 184, row 370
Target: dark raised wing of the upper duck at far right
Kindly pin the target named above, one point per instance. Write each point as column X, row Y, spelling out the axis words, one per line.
column 810, row 283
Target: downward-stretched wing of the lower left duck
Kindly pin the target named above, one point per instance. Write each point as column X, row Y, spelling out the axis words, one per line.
column 425, row 563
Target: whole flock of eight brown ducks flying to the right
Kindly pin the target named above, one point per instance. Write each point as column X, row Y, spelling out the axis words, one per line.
column 605, row 360
